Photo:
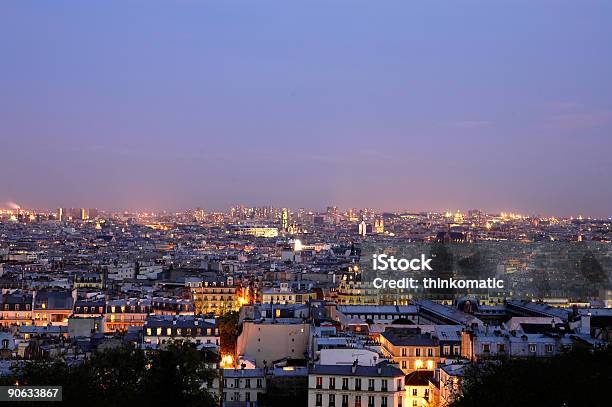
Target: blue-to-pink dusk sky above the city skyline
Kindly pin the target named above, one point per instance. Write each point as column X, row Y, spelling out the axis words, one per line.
column 498, row 105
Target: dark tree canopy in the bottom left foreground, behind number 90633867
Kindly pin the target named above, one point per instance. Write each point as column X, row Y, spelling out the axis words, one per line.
column 124, row 376
